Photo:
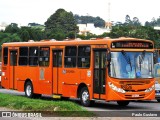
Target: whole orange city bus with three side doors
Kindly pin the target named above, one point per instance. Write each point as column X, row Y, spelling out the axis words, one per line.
column 119, row 69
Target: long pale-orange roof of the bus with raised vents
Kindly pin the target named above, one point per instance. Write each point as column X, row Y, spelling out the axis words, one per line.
column 70, row 42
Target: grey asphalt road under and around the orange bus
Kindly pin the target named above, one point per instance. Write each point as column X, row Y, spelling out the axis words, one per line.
column 110, row 110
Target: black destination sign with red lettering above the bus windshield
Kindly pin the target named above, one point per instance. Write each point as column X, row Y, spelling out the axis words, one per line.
column 132, row 44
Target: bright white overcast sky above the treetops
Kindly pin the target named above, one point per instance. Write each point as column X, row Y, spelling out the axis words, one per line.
column 38, row 11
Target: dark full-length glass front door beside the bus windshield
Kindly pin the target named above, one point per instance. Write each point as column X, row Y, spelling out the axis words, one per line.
column 99, row 77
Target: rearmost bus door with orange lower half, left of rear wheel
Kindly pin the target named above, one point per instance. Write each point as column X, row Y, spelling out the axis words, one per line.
column 13, row 64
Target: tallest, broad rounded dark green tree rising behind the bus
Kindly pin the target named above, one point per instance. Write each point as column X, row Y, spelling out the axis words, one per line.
column 61, row 22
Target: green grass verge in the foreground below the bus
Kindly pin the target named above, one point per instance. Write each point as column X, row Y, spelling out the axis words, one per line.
column 51, row 107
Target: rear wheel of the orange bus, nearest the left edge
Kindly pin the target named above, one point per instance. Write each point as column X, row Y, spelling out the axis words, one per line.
column 29, row 90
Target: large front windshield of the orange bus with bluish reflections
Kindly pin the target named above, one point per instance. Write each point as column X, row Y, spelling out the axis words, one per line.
column 131, row 64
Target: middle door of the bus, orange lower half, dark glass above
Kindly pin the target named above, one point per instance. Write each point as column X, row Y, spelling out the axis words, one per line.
column 57, row 67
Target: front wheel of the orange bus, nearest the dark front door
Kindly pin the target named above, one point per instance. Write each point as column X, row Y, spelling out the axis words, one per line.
column 84, row 97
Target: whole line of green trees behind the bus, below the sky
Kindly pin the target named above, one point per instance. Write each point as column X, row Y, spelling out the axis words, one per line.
column 63, row 24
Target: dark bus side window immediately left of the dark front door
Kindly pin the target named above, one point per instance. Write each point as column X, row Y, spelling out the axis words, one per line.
column 84, row 56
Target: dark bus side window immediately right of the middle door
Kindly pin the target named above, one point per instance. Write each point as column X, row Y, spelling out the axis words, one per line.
column 70, row 56
